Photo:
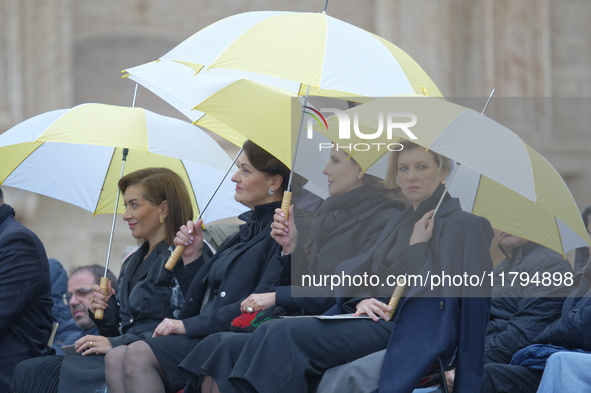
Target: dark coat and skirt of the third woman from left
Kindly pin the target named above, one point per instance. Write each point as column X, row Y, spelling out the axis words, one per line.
column 346, row 225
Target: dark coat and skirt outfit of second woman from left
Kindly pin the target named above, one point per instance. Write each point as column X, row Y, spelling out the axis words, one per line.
column 246, row 263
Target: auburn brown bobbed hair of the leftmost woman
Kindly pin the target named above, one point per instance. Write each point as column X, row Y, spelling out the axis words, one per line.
column 159, row 185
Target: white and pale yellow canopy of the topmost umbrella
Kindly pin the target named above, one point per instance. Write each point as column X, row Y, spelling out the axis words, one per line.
column 309, row 48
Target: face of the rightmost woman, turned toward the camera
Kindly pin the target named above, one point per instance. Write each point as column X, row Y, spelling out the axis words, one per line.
column 418, row 174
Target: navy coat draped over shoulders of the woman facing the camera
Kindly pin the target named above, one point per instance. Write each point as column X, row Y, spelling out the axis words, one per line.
column 444, row 321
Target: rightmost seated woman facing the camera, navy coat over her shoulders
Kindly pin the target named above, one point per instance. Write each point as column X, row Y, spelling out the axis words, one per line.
column 290, row 355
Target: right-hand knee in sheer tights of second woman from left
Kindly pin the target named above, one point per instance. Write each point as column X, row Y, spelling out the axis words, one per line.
column 143, row 373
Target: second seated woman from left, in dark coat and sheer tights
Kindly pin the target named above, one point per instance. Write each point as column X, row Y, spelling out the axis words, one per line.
column 213, row 289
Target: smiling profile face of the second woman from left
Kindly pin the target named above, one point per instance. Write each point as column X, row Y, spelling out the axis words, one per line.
column 252, row 185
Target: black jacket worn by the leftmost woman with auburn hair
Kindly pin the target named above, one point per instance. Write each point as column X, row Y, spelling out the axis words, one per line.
column 146, row 293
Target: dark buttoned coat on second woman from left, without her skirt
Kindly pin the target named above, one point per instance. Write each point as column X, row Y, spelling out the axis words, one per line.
column 249, row 268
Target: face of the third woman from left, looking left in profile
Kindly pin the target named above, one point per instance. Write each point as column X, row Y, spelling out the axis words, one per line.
column 343, row 174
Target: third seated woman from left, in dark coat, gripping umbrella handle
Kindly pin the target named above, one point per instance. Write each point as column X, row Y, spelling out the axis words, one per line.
column 347, row 224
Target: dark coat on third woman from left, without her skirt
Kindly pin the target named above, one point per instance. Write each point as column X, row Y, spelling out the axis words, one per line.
column 346, row 225
